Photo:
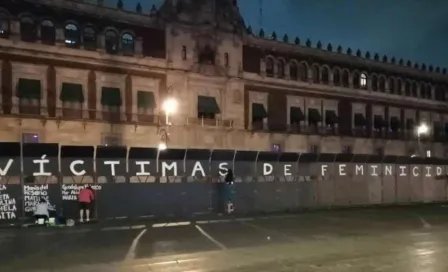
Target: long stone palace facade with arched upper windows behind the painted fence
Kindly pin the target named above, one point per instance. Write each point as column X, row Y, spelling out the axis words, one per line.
column 84, row 74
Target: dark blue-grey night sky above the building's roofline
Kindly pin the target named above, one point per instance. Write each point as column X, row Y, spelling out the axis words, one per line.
column 408, row 29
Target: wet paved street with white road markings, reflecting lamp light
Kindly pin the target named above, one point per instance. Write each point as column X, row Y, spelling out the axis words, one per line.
column 395, row 239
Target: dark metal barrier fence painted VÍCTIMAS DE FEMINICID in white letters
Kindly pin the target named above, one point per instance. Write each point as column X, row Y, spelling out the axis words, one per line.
column 137, row 181
